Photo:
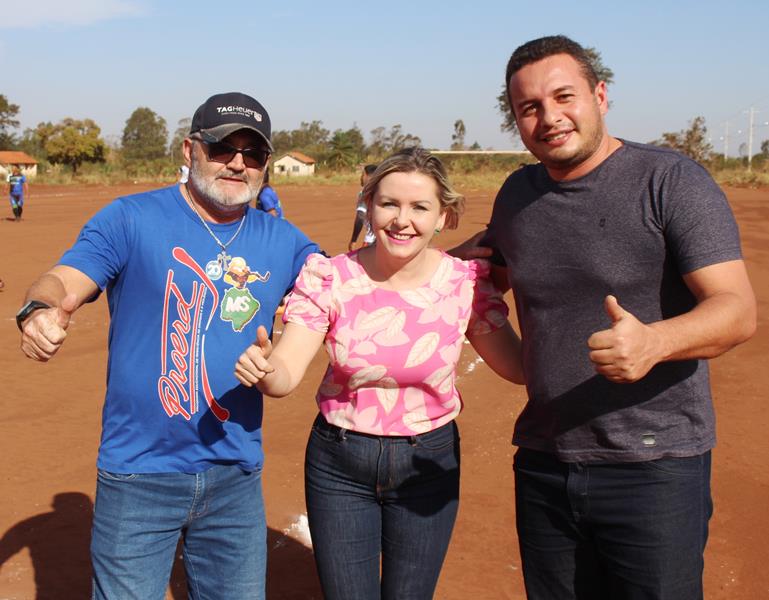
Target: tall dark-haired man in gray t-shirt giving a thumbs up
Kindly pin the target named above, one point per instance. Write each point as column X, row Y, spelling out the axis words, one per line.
column 626, row 269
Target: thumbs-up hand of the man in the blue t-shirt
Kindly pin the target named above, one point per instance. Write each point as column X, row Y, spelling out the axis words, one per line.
column 45, row 330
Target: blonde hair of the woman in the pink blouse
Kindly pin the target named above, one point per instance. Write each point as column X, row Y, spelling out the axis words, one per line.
column 419, row 160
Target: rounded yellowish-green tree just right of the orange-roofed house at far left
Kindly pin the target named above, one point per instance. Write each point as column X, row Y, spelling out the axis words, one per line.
column 73, row 142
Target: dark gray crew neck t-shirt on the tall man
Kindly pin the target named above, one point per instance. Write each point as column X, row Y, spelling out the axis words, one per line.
column 631, row 228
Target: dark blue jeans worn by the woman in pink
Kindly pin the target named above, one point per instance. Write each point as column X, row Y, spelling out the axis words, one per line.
column 371, row 497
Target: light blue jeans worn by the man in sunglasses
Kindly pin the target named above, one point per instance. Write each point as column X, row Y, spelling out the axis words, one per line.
column 138, row 519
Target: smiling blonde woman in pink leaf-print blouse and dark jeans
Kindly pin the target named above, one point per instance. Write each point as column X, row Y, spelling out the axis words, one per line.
column 382, row 463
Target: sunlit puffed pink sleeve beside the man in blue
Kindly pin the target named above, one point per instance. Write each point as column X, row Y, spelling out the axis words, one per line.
column 310, row 301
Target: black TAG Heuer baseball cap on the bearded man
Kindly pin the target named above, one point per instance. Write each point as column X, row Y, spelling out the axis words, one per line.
column 223, row 114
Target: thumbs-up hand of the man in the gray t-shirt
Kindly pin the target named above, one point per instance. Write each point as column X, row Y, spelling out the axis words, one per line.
column 626, row 351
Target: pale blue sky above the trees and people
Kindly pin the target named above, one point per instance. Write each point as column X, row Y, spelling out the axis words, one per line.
column 421, row 64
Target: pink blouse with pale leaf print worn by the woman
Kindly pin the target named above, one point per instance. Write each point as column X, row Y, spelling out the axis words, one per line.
column 392, row 354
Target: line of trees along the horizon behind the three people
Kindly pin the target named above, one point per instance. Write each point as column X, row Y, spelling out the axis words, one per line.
column 144, row 144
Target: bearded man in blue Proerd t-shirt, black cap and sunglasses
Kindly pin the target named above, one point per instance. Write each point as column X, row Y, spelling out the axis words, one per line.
column 190, row 272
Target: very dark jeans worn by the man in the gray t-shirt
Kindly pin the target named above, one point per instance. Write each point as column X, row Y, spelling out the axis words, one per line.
column 612, row 531
